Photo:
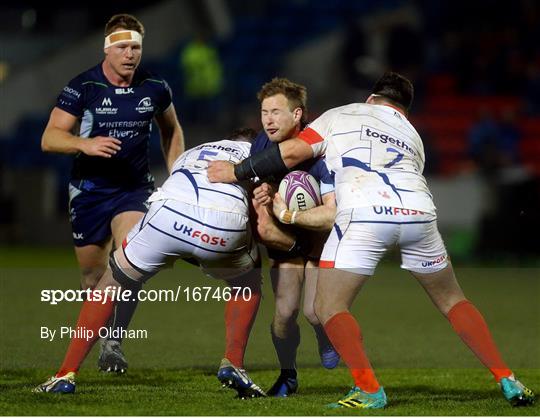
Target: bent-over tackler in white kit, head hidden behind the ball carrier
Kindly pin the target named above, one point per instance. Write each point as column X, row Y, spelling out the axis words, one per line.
column 188, row 218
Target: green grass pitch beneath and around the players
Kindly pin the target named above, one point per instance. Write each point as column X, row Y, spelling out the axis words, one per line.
column 424, row 367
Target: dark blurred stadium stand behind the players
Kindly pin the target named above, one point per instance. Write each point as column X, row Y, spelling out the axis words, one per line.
column 475, row 65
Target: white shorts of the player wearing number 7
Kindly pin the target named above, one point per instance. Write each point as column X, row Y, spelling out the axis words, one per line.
column 361, row 236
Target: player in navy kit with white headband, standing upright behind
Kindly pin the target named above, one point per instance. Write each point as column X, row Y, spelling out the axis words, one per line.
column 114, row 104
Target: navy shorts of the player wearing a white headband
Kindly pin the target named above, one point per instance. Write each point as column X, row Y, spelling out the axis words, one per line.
column 92, row 208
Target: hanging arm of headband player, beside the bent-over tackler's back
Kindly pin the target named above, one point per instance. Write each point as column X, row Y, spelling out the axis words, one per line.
column 172, row 136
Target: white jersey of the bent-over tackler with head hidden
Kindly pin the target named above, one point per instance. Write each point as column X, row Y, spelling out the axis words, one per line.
column 189, row 183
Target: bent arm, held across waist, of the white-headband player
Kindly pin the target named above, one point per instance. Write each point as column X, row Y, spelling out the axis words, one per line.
column 58, row 137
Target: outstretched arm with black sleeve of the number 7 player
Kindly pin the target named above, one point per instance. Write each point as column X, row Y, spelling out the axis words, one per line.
column 275, row 159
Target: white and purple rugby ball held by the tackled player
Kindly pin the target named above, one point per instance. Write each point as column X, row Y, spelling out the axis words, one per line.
column 300, row 190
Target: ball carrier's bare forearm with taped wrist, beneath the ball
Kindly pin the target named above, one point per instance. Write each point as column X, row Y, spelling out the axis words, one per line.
column 319, row 218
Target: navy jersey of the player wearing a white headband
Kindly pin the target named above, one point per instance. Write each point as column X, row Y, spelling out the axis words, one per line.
column 124, row 113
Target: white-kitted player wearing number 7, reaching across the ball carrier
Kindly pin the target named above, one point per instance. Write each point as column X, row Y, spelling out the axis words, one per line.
column 382, row 199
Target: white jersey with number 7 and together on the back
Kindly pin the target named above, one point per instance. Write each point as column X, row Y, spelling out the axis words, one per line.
column 376, row 154
